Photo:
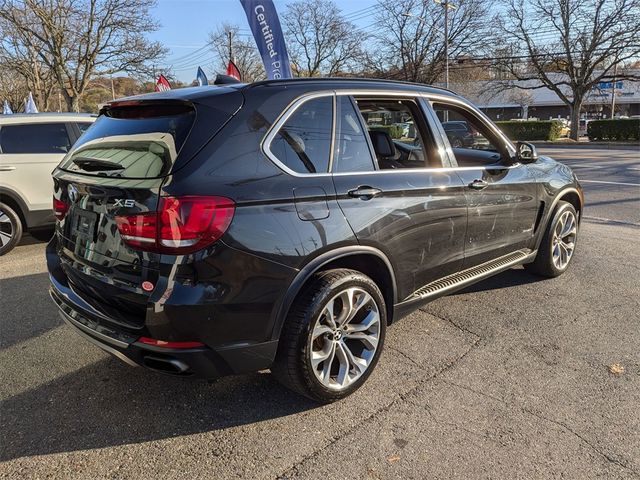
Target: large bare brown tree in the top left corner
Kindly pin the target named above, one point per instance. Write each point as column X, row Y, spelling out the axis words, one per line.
column 78, row 39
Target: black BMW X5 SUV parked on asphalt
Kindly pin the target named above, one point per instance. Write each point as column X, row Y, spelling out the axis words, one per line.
column 285, row 224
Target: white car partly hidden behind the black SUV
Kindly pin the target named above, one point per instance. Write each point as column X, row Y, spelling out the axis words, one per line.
column 31, row 146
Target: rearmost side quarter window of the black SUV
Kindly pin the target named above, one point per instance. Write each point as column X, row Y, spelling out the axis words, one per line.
column 303, row 143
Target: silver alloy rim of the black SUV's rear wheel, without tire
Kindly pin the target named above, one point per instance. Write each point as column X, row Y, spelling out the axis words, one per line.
column 345, row 338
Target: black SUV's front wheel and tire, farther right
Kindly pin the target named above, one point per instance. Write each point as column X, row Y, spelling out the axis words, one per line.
column 558, row 243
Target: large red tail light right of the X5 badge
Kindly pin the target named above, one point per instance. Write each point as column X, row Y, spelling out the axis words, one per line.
column 181, row 225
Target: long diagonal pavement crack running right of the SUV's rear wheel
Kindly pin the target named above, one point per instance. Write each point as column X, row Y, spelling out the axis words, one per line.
column 402, row 397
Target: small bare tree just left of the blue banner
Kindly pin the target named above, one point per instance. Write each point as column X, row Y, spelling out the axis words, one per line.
column 245, row 53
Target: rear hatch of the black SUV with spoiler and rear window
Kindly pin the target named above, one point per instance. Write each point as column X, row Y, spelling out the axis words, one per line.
column 114, row 172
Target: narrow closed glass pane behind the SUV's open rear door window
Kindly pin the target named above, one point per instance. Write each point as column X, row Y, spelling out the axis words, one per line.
column 352, row 152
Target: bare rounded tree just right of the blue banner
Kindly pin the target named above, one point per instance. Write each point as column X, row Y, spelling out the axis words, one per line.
column 320, row 41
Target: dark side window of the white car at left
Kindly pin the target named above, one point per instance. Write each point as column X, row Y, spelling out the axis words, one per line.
column 35, row 138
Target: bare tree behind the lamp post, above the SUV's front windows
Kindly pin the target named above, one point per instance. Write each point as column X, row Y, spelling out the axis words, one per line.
column 410, row 42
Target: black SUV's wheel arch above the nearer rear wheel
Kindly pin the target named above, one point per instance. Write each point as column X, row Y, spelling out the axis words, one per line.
column 368, row 260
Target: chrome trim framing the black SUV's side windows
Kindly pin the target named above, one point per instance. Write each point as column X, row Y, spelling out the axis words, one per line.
column 364, row 93
